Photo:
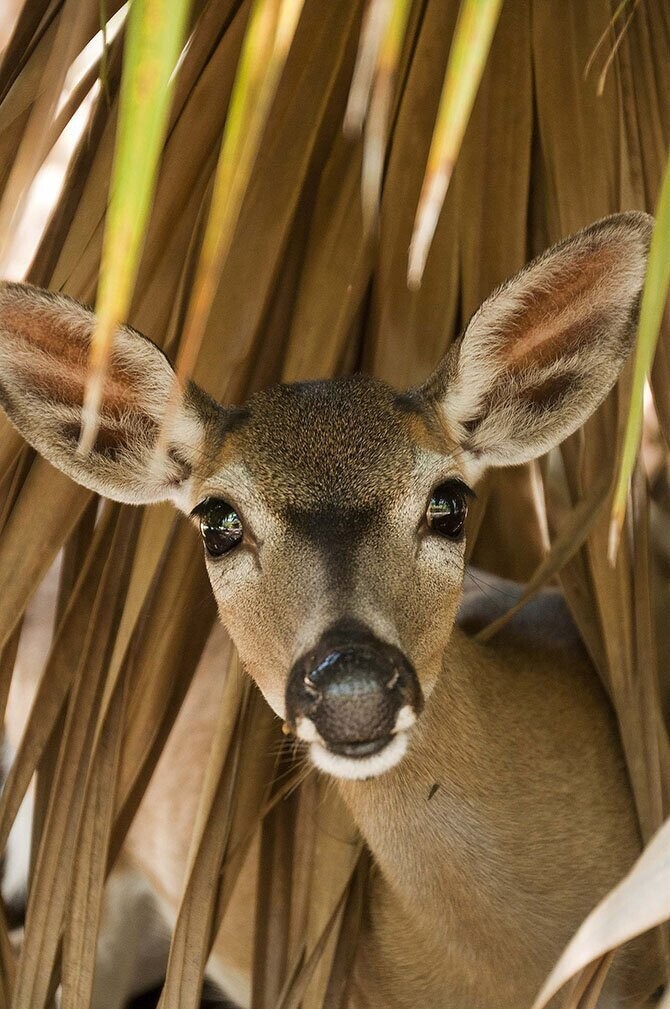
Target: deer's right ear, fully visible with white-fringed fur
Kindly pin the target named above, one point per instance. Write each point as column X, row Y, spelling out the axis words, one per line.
column 544, row 351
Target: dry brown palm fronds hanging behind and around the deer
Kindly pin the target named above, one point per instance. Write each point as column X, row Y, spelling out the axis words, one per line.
column 305, row 293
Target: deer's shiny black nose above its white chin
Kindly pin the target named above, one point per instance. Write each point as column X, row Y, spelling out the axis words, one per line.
column 353, row 688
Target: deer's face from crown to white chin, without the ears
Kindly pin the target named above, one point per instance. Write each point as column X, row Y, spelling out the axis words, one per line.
column 333, row 524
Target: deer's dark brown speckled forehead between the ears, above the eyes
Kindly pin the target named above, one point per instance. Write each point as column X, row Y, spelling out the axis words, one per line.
column 309, row 451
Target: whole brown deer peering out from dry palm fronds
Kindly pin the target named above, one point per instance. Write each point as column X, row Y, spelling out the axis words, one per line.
column 333, row 521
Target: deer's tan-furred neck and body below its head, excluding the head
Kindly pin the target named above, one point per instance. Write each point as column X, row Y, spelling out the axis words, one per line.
column 526, row 757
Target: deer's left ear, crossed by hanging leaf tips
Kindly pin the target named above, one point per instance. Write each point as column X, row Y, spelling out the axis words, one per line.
column 45, row 342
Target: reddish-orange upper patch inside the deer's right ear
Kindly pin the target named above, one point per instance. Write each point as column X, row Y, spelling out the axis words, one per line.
column 556, row 314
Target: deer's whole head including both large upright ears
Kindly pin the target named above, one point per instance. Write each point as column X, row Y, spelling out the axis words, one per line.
column 332, row 514
